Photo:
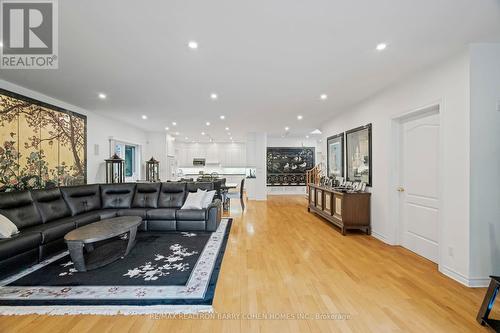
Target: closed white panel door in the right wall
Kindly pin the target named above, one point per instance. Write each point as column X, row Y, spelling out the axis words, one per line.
column 419, row 191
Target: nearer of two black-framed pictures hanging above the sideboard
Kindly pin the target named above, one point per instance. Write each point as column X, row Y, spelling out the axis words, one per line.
column 359, row 154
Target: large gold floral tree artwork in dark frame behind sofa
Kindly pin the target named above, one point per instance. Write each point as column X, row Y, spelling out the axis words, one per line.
column 41, row 145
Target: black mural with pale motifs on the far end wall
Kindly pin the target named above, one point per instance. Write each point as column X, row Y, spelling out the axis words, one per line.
column 287, row 166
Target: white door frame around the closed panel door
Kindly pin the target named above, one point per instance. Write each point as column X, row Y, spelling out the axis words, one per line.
column 397, row 123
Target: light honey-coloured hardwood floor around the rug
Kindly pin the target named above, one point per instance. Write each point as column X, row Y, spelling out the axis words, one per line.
column 282, row 259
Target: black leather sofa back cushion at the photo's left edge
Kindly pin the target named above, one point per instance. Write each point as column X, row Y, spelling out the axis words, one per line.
column 20, row 209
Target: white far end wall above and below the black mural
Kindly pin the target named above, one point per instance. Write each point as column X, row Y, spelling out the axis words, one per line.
column 293, row 142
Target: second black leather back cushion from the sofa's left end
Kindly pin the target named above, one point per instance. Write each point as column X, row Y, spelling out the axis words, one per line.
column 50, row 204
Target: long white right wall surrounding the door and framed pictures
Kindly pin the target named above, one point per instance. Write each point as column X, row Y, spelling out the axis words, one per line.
column 446, row 84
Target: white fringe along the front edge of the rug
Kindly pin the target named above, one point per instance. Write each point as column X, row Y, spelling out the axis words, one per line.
column 127, row 310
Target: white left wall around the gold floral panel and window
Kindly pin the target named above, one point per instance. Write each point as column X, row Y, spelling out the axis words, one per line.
column 99, row 130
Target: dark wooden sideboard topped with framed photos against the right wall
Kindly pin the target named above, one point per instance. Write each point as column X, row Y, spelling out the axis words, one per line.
column 345, row 210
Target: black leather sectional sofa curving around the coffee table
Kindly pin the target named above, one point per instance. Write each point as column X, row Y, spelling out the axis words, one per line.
column 43, row 217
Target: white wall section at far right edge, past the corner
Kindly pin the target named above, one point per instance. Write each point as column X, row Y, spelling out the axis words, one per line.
column 485, row 161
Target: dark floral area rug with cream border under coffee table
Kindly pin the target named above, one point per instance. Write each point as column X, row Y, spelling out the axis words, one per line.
column 165, row 272
